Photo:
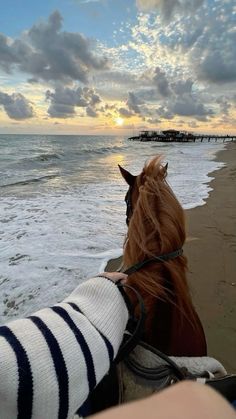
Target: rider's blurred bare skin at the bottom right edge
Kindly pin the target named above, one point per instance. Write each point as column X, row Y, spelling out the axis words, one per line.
column 185, row 400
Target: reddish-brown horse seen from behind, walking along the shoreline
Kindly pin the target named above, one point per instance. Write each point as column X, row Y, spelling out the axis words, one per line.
column 156, row 228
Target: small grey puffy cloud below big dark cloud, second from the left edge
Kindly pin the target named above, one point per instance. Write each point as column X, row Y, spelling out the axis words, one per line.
column 64, row 100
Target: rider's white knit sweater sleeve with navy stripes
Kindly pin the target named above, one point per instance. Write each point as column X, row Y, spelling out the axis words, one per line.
column 50, row 361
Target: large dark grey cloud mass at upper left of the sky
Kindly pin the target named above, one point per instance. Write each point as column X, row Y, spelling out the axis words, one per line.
column 50, row 54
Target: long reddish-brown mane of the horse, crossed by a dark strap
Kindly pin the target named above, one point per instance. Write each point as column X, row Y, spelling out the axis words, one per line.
column 157, row 226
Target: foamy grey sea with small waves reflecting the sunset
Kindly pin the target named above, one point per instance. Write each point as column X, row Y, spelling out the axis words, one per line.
column 62, row 209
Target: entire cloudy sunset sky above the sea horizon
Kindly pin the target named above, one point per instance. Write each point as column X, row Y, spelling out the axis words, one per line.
column 117, row 66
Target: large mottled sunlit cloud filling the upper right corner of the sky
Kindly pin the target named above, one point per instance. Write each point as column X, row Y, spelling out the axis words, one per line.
column 199, row 38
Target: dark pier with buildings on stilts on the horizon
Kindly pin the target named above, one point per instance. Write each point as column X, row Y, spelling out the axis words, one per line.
column 170, row 136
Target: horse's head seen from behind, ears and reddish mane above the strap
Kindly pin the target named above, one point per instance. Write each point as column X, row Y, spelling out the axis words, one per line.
column 155, row 217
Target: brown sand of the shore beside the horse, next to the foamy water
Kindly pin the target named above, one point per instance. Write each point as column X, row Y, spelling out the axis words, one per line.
column 211, row 252
